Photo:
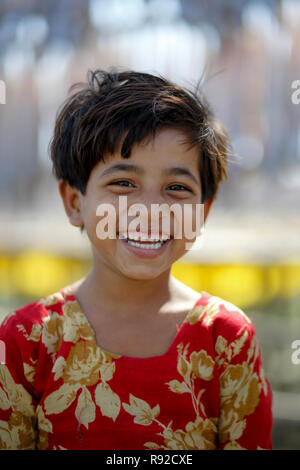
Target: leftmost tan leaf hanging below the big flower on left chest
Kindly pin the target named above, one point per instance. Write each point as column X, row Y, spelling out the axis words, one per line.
column 61, row 399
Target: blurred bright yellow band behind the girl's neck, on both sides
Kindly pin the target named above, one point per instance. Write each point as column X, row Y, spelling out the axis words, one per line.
column 34, row 274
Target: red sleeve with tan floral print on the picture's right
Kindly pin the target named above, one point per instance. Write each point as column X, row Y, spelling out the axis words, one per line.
column 245, row 417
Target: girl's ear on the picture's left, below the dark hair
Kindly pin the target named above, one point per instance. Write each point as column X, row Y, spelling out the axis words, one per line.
column 72, row 203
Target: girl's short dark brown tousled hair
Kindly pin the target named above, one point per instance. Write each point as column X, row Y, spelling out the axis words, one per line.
column 133, row 106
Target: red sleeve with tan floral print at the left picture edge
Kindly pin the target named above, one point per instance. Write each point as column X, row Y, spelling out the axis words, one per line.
column 17, row 401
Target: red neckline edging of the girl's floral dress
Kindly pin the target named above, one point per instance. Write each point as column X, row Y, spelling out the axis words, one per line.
column 70, row 296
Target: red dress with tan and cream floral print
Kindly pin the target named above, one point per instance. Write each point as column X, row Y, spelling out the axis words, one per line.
column 60, row 390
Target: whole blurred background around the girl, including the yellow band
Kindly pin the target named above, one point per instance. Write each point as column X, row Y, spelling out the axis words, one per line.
column 247, row 54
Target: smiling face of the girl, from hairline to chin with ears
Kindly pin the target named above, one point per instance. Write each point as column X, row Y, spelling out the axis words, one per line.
column 162, row 171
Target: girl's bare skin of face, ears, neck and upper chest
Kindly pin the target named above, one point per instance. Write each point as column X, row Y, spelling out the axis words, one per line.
column 117, row 274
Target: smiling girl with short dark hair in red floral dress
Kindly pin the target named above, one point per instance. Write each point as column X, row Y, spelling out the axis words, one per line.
column 129, row 357
